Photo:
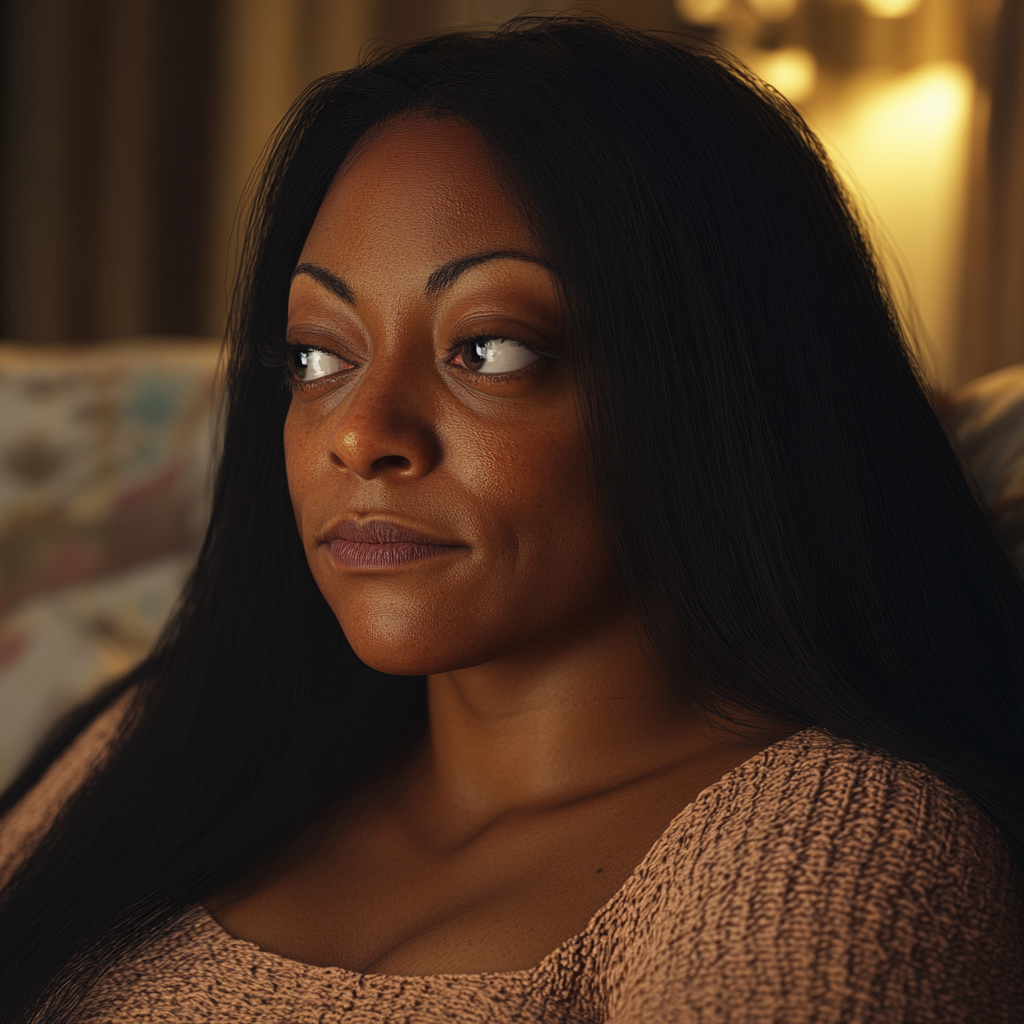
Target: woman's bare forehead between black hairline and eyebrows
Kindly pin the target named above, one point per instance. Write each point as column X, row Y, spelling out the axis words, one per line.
column 421, row 191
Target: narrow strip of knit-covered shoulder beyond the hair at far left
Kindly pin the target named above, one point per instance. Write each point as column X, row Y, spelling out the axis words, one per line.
column 27, row 823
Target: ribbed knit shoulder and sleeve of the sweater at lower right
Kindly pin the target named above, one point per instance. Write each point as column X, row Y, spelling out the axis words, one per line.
column 827, row 881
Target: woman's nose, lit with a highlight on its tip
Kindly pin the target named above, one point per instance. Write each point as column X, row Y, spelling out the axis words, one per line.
column 388, row 424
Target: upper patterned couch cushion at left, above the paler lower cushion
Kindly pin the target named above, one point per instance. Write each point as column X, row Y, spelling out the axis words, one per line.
column 106, row 456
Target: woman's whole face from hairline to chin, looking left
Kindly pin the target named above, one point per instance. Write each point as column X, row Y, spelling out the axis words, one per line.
column 435, row 457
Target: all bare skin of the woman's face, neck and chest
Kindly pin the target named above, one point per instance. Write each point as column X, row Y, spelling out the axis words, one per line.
column 554, row 758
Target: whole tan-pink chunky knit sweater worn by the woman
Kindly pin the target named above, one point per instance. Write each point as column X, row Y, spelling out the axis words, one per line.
column 819, row 882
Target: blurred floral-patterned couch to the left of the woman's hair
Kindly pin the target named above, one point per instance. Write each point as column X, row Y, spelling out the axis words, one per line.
column 106, row 462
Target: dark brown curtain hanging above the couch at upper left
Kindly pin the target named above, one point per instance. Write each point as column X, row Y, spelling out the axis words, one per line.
column 106, row 143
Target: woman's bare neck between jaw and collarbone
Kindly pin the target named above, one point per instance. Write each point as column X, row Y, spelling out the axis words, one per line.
column 550, row 728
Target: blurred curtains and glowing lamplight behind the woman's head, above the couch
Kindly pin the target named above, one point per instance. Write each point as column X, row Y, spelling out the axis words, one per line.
column 131, row 127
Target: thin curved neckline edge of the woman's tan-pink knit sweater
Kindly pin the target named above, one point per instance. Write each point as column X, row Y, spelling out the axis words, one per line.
column 219, row 934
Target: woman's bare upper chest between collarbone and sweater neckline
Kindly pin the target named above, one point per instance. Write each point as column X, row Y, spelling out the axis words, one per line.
column 379, row 902
